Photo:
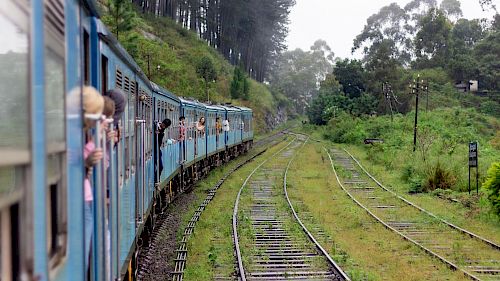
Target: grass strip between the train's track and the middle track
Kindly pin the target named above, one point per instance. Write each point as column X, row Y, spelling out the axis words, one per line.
column 210, row 248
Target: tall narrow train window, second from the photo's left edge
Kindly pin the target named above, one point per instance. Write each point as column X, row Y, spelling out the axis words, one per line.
column 55, row 122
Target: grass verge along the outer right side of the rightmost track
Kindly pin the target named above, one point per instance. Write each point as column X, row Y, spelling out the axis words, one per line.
column 475, row 218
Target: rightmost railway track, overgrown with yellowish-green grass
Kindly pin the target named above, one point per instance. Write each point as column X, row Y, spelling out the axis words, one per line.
column 475, row 256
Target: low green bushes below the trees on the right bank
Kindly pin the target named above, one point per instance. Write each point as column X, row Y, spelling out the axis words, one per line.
column 441, row 156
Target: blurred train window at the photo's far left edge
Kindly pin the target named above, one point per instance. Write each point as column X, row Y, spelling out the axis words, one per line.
column 15, row 132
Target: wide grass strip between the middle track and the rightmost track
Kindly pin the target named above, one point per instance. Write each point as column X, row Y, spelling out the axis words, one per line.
column 361, row 246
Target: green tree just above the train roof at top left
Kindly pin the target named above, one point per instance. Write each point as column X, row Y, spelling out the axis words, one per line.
column 120, row 17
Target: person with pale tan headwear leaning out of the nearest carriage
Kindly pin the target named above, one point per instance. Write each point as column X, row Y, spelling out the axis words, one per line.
column 93, row 105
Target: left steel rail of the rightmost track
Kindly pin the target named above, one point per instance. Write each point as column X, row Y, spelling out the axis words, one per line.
column 427, row 250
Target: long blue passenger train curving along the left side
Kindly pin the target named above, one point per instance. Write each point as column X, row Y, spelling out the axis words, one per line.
column 49, row 50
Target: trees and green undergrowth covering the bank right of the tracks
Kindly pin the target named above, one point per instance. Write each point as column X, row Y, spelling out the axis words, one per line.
column 427, row 42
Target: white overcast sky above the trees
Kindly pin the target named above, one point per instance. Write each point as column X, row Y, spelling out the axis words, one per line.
column 339, row 21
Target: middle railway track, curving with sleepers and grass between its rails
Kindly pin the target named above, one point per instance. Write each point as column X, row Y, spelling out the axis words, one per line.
column 276, row 245
